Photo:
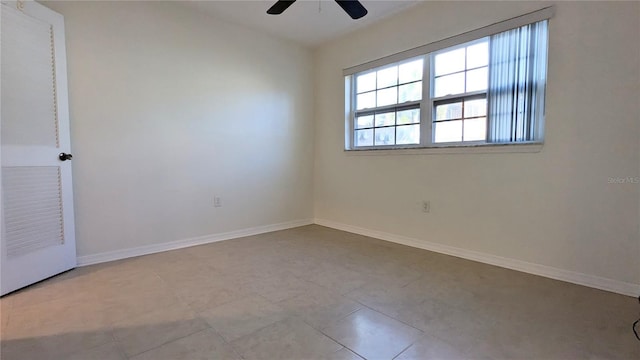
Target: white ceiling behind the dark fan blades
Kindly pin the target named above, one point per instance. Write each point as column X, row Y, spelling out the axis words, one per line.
column 302, row 22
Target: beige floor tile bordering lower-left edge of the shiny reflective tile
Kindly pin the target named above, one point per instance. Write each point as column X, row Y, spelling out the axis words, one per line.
column 287, row 339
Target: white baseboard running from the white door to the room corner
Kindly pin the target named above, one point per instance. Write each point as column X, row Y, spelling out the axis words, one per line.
column 179, row 244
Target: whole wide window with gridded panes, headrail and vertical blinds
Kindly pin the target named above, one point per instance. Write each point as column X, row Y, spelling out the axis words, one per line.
column 481, row 88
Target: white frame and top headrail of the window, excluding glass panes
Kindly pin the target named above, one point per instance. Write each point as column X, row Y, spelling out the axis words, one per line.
column 427, row 102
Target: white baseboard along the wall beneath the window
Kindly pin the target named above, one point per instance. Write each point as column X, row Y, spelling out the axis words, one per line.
column 593, row 281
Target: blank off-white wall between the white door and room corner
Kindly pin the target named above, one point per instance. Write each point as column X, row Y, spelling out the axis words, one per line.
column 169, row 107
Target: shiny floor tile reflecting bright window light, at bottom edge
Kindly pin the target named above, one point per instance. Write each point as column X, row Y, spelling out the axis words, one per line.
column 373, row 335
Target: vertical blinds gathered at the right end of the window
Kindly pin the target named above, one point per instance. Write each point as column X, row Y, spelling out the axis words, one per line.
column 517, row 73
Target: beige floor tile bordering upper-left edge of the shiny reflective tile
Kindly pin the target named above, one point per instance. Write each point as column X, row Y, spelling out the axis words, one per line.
column 320, row 308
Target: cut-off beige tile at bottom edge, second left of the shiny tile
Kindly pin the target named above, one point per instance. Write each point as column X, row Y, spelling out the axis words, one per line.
column 203, row 345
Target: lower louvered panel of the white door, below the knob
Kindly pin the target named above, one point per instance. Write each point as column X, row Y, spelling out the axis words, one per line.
column 32, row 208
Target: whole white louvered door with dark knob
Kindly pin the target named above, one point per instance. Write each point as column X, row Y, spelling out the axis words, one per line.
column 37, row 202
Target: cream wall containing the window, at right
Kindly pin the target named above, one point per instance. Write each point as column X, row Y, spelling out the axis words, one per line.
column 553, row 208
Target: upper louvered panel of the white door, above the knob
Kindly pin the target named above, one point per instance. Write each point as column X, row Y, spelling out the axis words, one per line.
column 29, row 113
